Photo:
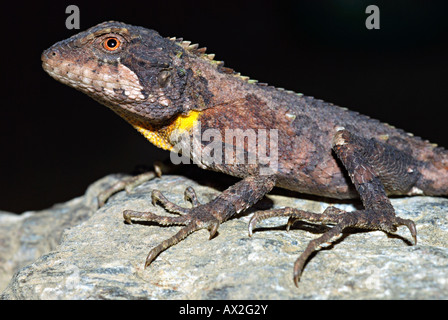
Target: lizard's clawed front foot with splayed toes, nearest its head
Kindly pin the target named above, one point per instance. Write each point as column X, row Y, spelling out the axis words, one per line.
column 196, row 218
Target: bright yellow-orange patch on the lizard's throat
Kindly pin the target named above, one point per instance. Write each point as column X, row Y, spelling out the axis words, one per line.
column 160, row 137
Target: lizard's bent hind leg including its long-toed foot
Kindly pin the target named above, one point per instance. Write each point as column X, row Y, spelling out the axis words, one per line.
column 371, row 166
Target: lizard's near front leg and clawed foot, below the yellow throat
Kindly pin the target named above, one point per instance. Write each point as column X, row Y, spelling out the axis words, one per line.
column 235, row 199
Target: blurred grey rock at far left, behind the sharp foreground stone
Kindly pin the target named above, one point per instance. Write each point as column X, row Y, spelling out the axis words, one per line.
column 25, row 237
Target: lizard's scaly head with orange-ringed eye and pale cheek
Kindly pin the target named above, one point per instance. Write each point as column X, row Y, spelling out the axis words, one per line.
column 130, row 69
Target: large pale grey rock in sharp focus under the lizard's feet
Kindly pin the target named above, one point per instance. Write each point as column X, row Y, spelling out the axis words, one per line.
column 102, row 257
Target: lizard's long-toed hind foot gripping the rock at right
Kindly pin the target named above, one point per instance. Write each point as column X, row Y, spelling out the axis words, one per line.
column 365, row 219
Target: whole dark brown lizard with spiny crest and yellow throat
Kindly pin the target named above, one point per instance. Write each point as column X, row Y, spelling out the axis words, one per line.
column 169, row 89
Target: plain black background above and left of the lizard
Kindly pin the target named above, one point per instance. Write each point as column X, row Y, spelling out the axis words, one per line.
column 54, row 141
